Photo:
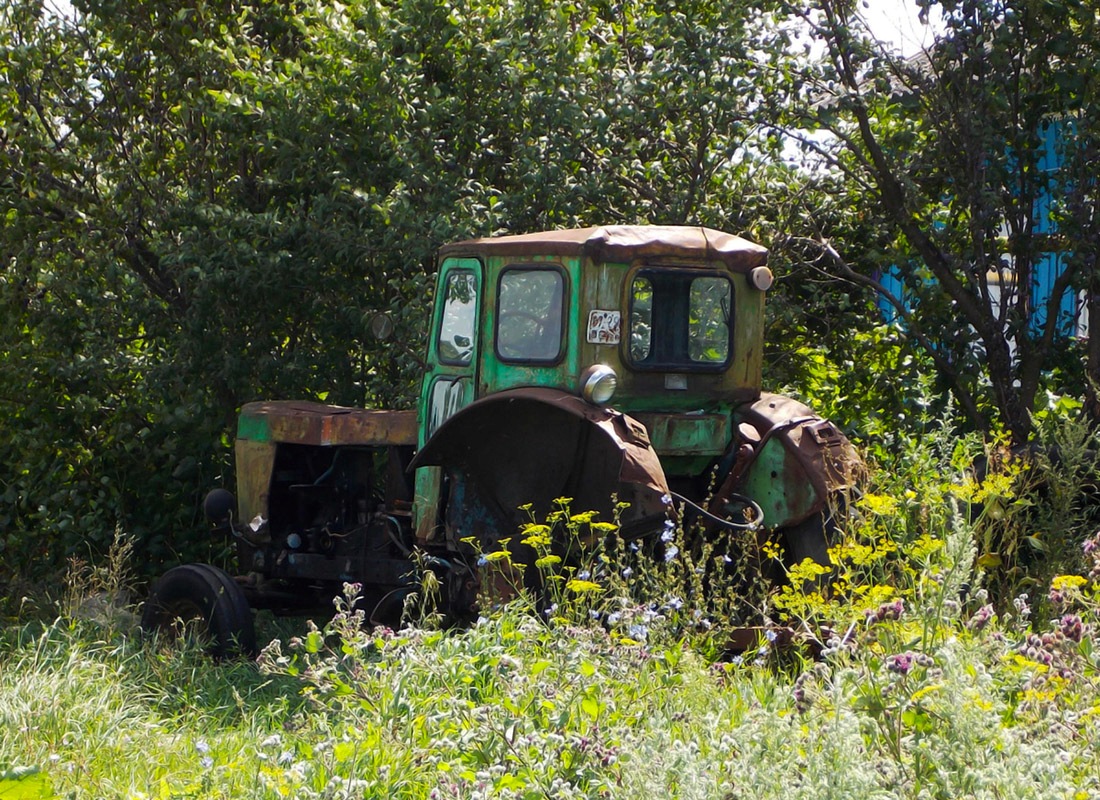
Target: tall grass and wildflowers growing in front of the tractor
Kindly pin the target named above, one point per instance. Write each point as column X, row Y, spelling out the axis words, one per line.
column 919, row 667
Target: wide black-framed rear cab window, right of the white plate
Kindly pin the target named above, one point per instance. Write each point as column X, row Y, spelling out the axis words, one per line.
column 680, row 321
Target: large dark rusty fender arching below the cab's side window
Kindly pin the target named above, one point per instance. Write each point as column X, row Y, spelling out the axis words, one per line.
column 535, row 445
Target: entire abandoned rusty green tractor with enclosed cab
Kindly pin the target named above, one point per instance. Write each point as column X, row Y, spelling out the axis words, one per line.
column 586, row 364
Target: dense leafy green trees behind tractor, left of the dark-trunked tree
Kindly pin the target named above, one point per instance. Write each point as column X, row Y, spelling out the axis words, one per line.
column 203, row 206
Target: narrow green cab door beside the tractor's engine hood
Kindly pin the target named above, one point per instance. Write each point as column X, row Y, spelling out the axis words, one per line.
column 452, row 375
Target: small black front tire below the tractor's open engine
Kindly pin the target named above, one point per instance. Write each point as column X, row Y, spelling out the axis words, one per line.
column 203, row 594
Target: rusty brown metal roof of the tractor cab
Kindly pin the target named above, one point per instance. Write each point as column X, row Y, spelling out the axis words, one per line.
column 623, row 245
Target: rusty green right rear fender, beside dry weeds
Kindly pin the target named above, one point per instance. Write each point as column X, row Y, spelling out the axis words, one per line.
column 799, row 462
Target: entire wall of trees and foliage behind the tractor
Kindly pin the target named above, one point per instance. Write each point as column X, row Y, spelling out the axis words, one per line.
column 204, row 206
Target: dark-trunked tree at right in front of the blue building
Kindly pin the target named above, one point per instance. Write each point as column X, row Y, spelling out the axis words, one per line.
column 947, row 159
